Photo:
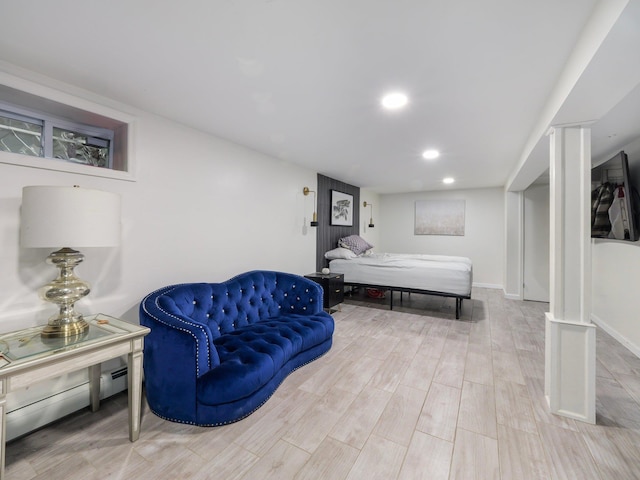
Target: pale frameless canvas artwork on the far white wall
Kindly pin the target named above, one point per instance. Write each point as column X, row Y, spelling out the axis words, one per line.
column 439, row 217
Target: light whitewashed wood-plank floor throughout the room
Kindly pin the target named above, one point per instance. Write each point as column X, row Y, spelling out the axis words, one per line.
column 407, row 394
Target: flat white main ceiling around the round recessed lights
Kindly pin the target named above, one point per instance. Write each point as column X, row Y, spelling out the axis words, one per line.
column 301, row 80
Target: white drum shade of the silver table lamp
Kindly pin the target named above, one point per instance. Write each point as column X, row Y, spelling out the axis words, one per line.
column 71, row 217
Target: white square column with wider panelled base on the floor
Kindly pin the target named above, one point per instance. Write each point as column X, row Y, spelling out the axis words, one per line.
column 570, row 349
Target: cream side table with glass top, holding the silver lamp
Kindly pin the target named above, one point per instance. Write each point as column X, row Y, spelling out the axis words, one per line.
column 27, row 358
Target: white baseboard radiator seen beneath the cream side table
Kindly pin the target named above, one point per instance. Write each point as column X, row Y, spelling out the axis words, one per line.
column 49, row 401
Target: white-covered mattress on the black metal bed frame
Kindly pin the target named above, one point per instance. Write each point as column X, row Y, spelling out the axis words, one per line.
column 435, row 273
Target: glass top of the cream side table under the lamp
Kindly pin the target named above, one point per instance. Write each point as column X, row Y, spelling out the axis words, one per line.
column 27, row 344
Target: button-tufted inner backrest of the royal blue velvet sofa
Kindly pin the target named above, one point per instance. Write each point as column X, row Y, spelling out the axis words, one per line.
column 247, row 298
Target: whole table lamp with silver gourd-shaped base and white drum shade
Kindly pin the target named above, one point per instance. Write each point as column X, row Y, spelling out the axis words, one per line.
column 68, row 217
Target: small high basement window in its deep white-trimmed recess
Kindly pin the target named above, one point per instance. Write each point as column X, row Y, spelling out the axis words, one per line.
column 40, row 132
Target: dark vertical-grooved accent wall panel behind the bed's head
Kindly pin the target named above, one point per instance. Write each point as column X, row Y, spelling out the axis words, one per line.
column 327, row 234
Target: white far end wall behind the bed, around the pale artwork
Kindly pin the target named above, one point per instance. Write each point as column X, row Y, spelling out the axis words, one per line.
column 483, row 240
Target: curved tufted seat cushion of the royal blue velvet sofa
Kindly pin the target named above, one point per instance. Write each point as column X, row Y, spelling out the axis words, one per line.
column 250, row 356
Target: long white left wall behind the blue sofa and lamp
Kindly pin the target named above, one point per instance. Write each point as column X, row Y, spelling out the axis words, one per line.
column 202, row 209
